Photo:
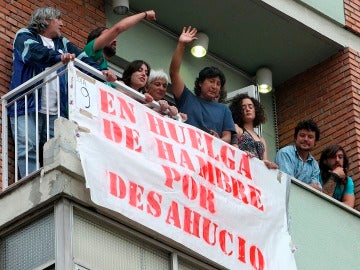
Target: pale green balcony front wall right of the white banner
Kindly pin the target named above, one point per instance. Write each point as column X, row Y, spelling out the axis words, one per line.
column 325, row 233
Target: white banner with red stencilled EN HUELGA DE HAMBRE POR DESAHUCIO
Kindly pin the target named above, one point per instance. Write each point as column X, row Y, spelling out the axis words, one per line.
column 180, row 182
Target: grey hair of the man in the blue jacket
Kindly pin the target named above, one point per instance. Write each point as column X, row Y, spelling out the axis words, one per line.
column 40, row 18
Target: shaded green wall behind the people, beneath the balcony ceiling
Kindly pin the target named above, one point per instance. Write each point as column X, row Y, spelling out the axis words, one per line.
column 156, row 47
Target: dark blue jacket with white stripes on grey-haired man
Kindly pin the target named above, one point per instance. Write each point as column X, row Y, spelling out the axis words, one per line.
column 31, row 57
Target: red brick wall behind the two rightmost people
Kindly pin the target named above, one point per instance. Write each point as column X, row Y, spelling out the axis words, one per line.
column 329, row 93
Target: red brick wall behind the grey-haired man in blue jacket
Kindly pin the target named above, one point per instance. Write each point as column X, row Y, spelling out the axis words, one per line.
column 79, row 17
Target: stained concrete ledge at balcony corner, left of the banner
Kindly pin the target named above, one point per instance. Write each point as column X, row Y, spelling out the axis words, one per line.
column 62, row 175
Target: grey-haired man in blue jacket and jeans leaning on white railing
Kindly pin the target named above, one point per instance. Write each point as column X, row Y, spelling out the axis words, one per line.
column 39, row 46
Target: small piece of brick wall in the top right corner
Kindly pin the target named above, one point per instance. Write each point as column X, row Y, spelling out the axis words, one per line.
column 352, row 15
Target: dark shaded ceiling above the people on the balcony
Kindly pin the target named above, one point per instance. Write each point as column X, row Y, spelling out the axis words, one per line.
column 247, row 34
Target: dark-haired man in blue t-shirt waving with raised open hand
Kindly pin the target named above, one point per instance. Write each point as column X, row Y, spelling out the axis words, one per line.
column 202, row 108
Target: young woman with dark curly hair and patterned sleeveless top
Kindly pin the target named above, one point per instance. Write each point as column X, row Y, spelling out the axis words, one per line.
column 247, row 114
